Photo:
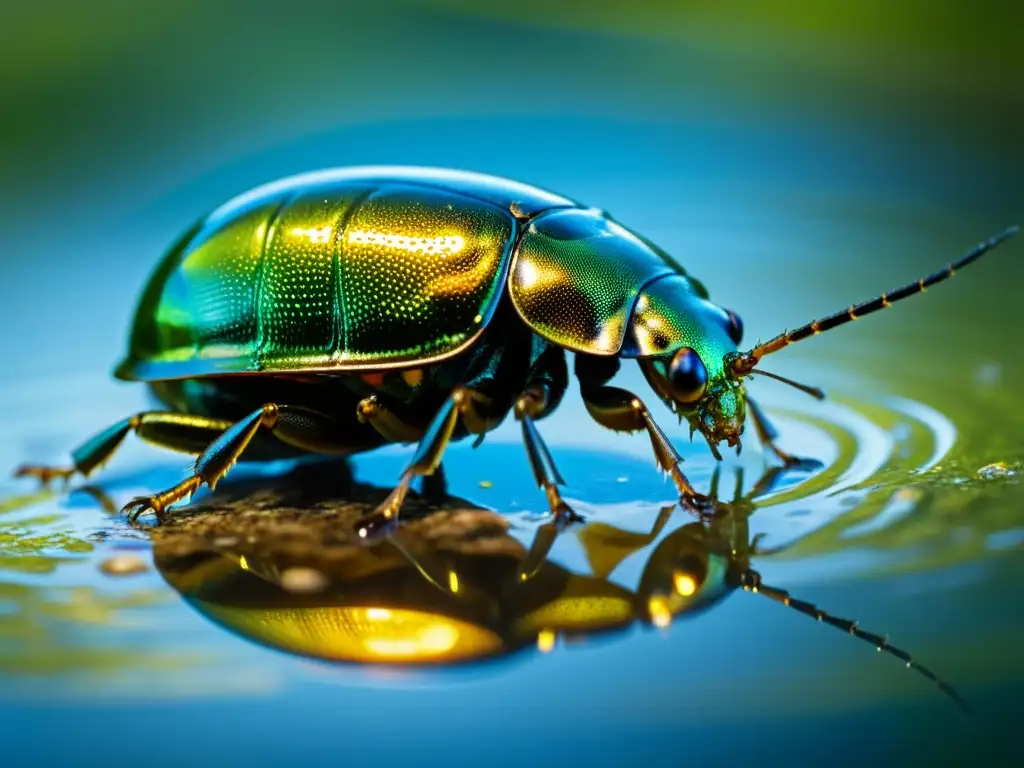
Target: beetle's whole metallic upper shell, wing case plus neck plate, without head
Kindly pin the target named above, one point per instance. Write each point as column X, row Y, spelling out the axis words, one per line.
column 377, row 268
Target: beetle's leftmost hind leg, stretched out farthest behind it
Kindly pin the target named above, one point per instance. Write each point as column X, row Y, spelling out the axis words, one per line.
column 177, row 432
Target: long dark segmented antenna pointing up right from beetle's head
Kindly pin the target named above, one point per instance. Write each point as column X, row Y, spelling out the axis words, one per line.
column 744, row 364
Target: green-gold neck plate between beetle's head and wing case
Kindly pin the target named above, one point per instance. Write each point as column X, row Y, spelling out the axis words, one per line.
column 577, row 277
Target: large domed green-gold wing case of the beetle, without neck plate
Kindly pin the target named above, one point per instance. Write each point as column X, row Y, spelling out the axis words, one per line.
column 332, row 272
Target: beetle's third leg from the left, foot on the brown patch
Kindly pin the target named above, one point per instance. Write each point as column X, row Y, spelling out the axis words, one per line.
column 425, row 461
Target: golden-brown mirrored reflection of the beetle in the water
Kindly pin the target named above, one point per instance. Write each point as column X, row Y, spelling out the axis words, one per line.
column 453, row 585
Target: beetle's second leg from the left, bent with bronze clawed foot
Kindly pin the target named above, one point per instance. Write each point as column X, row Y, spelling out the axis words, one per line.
column 296, row 426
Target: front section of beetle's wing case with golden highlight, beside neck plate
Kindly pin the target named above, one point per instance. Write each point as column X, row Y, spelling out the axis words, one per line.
column 419, row 271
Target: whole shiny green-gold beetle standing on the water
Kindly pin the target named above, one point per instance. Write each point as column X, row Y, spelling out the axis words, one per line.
column 345, row 310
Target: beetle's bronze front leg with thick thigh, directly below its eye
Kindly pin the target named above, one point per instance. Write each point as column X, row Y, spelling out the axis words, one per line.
column 622, row 411
